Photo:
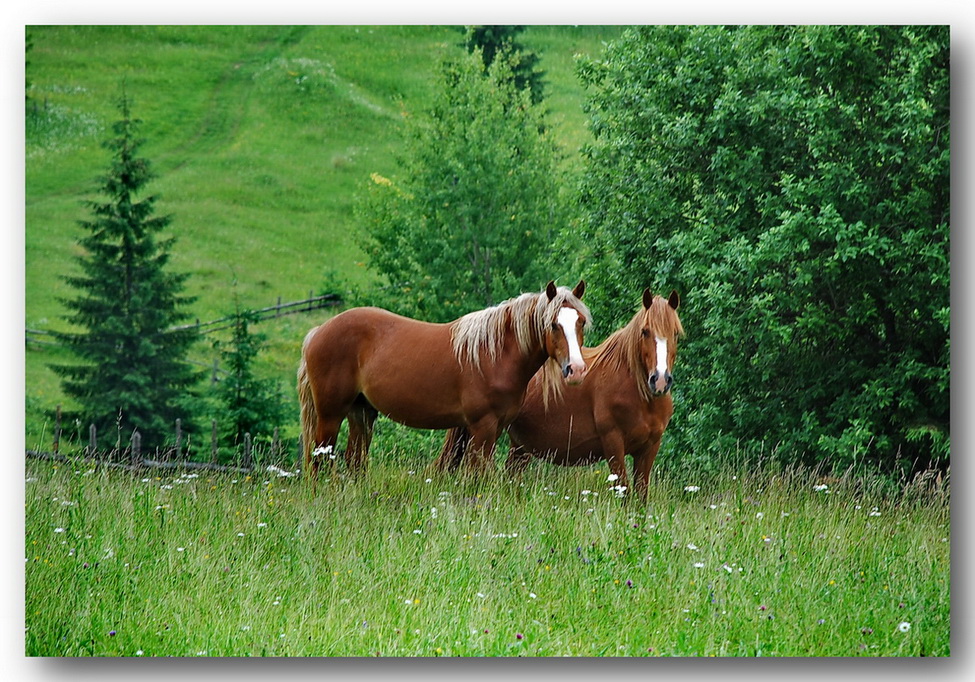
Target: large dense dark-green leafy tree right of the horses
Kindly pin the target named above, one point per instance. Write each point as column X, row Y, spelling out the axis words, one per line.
column 793, row 184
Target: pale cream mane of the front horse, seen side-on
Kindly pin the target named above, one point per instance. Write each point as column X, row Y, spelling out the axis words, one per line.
column 527, row 315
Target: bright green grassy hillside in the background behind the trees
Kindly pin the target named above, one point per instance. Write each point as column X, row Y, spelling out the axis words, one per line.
column 260, row 137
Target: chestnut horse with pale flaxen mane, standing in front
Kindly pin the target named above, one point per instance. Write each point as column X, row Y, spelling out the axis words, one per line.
column 471, row 373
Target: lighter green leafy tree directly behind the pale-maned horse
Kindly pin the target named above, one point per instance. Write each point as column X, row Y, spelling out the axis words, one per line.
column 471, row 218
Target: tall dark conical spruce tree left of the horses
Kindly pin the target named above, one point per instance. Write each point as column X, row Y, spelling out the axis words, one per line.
column 131, row 371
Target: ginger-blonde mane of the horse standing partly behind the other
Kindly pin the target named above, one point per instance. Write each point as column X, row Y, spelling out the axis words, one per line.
column 621, row 349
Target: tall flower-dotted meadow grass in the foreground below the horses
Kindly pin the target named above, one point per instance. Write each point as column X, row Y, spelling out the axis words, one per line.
column 764, row 563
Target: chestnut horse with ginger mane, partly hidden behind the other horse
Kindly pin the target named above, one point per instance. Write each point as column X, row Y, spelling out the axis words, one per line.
column 623, row 407
